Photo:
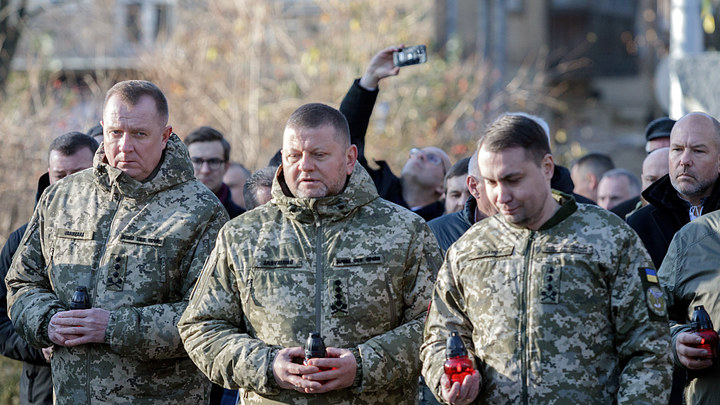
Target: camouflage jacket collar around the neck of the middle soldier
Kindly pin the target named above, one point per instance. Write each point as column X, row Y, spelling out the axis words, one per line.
column 359, row 191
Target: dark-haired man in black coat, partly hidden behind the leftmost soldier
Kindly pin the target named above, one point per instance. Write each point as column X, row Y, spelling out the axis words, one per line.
column 69, row 153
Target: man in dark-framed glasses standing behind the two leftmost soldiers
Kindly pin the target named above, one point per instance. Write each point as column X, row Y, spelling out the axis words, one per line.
column 210, row 156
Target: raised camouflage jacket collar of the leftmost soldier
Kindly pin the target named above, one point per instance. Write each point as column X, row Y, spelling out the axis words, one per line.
column 174, row 168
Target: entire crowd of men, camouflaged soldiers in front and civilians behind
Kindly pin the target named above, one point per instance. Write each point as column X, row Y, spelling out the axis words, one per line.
column 205, row 280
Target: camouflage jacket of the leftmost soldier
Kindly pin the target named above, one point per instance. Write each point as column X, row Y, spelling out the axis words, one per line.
column 138, row 247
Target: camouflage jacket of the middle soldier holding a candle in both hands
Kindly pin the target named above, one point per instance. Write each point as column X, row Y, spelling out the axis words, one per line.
column 353, row 266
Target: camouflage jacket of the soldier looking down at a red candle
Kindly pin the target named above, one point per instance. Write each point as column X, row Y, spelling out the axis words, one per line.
column 553, row 316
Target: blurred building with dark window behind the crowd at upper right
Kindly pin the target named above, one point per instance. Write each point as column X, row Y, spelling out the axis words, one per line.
column 599, row 56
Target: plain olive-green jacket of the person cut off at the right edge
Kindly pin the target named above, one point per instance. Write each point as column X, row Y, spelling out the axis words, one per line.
column 690, row 276
